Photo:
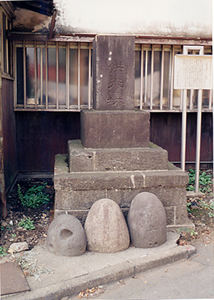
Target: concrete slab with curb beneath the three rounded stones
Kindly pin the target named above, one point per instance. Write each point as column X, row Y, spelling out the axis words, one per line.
column 56, row 277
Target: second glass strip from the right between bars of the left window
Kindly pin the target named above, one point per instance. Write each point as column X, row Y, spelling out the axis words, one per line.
column 73, row 78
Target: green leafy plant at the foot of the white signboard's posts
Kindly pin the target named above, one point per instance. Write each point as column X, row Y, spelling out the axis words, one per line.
column 204, row 181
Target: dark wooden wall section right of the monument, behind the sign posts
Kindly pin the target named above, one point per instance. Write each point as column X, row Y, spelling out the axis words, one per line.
column 166, row 132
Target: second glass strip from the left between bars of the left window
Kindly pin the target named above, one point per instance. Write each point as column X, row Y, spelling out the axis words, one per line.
column 30, row 76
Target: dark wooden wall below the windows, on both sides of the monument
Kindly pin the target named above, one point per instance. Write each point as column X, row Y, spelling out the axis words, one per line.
column 42, row 135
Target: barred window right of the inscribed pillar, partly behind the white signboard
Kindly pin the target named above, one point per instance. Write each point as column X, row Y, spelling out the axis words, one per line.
column 154, row 68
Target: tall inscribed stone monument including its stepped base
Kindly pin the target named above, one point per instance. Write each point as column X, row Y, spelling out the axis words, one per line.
column 114, row 158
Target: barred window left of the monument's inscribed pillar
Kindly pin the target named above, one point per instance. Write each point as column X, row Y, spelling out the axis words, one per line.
column 53, row 76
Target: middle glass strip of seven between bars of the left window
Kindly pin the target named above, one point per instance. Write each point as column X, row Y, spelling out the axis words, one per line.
column 51, row 76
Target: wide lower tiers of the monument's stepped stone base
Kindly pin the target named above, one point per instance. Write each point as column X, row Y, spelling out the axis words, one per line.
column 76, row 190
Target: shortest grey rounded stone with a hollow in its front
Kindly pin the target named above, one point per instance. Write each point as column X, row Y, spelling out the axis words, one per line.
column 66, row 236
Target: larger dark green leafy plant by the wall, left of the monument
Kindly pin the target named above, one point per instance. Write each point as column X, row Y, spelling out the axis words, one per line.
column 34, row 197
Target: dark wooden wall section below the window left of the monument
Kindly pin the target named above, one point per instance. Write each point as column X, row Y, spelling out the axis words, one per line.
column 42, row 135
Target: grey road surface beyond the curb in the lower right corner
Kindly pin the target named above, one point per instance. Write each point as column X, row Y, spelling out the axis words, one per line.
column 186, row 279
